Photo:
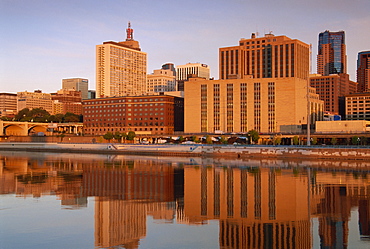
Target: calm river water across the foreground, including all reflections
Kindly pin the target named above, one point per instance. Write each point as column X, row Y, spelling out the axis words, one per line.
column 50, row 200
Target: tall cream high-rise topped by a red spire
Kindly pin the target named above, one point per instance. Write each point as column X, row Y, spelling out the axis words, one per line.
column 120, row 68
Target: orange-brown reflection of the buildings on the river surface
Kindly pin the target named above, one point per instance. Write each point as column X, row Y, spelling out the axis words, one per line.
column 258, row 203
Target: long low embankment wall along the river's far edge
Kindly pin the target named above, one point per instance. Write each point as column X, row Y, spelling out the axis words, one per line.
column 230, row 151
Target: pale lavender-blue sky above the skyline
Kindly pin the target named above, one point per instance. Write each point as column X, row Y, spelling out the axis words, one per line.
column 45, row 41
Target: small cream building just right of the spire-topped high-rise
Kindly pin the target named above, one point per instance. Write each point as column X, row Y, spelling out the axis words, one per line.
column 161, row 80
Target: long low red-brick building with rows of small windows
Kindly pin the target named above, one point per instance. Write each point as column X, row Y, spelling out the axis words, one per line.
column 156, row 114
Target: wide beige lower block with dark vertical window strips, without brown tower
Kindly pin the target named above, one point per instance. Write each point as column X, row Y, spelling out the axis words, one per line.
column 240, row 105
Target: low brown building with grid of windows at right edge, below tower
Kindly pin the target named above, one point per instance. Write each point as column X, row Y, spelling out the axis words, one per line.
column 358, row 106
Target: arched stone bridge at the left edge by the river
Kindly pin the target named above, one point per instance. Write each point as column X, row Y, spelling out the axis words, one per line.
column 13, row 128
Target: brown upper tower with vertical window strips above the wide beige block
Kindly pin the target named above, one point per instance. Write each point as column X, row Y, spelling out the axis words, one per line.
column 265, row 57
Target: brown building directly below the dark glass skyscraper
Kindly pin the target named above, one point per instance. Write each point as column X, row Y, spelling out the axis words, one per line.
column 332, row 89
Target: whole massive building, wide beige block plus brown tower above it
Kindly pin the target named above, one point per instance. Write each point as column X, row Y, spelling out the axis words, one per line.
column 263, row 86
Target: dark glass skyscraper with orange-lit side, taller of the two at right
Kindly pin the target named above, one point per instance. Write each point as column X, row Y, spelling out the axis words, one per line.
column 331, row 58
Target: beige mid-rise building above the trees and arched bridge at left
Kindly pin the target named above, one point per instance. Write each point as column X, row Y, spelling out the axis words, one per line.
column 36, row 99
